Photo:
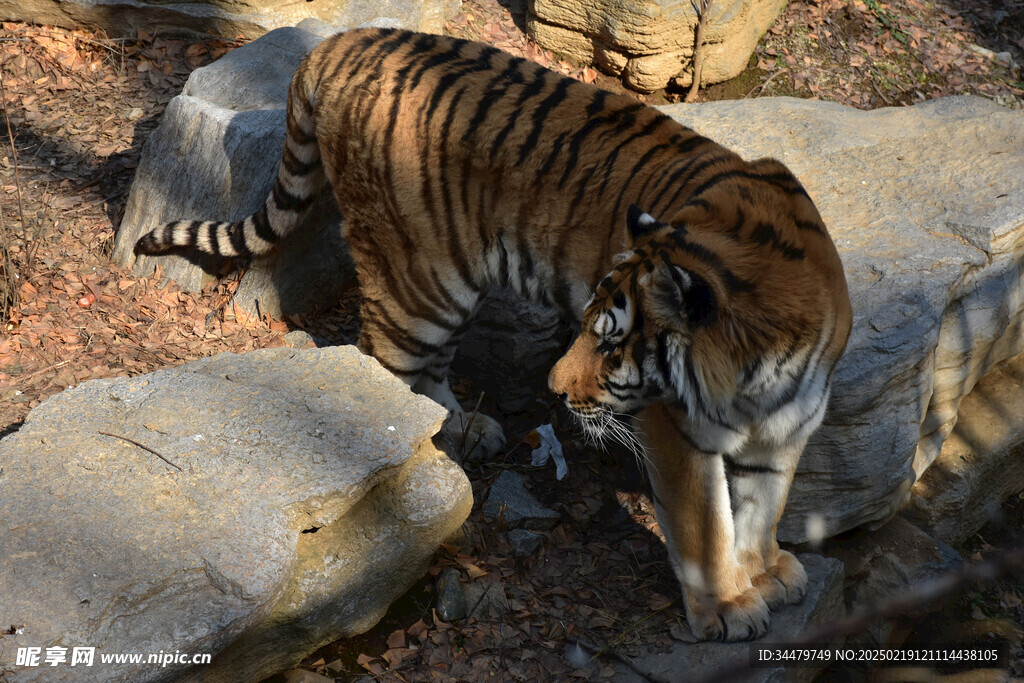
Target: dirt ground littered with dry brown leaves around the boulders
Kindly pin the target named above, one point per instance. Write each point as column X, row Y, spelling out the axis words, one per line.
column 78, row 108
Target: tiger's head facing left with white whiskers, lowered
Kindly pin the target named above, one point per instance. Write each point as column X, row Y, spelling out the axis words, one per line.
column 637, row 330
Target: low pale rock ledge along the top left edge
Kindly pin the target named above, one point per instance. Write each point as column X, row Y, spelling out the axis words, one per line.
column 249, row 19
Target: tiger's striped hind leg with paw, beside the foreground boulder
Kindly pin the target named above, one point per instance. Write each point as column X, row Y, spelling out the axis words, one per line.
column 416, row 337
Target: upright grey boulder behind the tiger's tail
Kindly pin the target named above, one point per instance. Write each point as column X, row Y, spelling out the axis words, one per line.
column 216, row 156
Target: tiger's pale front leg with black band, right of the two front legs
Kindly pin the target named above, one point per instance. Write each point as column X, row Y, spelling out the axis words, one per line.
column 760, row 480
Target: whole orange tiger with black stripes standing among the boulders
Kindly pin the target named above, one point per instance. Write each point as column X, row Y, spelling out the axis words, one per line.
column 710, row 300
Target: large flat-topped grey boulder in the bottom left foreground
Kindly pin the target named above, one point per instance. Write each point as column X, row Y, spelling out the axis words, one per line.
column 252, row 507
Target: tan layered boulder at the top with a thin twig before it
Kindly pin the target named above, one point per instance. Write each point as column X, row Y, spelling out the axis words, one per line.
column 651, row 42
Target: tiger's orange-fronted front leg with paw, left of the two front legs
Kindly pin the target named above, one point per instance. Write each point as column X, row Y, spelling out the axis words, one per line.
column 692, row 499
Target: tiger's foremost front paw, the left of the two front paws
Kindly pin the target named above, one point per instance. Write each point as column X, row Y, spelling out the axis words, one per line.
column 743, row 618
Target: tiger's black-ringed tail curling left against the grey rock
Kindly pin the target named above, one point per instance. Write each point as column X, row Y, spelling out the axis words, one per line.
column 301, row 178
